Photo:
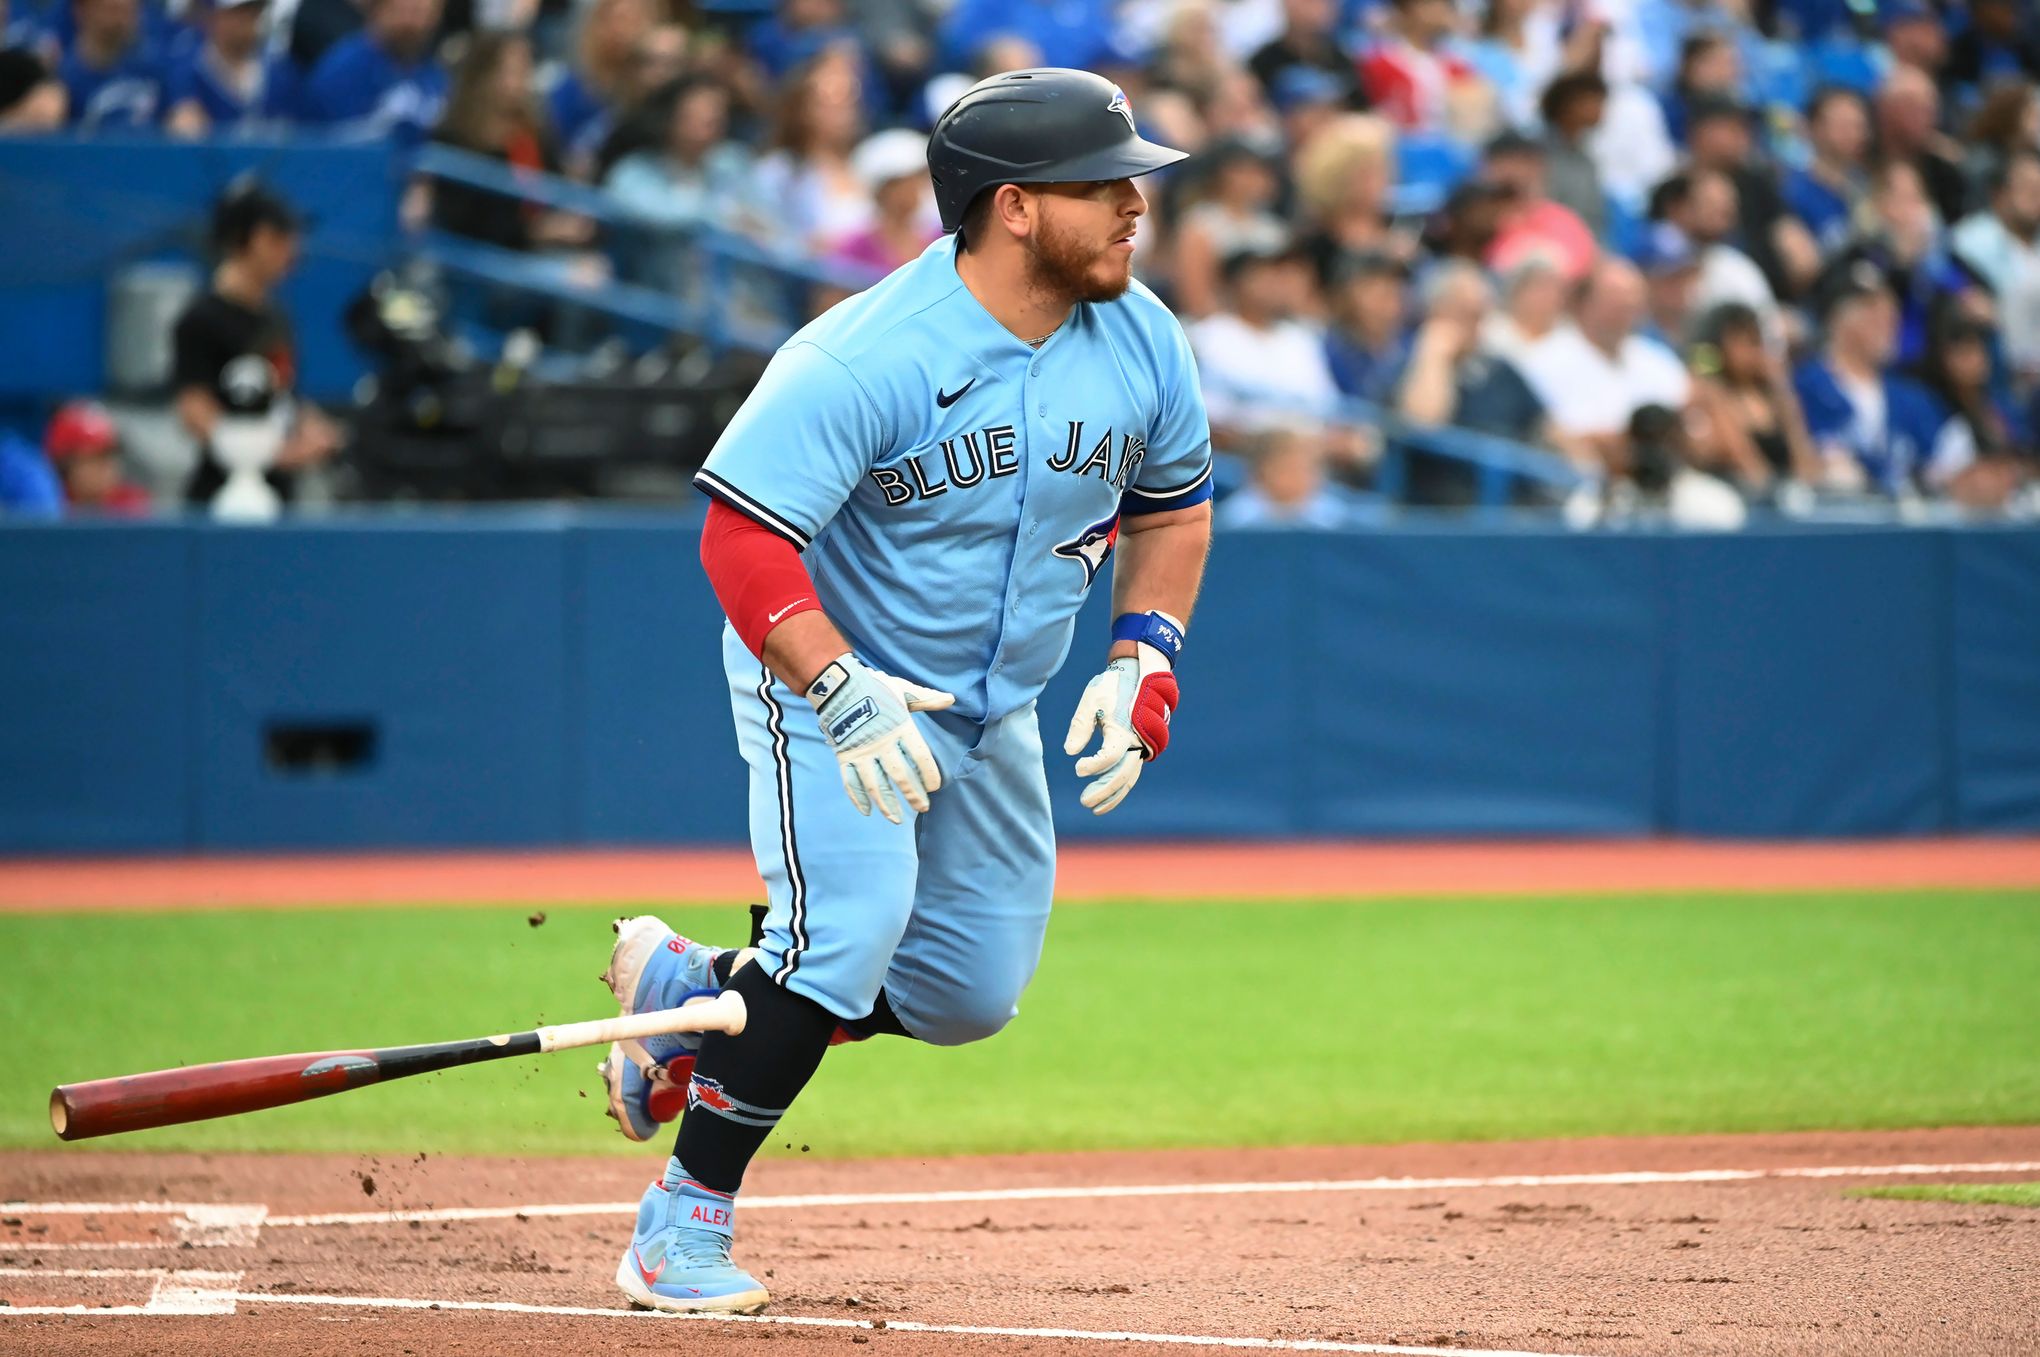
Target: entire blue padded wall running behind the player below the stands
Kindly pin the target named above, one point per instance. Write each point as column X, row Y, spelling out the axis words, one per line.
column 550, row 676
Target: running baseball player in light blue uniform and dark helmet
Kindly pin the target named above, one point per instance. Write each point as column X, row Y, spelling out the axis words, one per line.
column 909, row 513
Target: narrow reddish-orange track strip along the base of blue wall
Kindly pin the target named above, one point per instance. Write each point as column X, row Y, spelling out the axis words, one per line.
column 1084, row 872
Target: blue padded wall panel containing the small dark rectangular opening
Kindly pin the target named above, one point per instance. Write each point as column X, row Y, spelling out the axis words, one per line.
column 450, row 638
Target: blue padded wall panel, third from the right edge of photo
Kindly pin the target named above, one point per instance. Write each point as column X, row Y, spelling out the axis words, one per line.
column 1480, row 685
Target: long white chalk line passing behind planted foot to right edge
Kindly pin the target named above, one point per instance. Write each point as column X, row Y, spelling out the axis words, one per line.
column 1152, row 1191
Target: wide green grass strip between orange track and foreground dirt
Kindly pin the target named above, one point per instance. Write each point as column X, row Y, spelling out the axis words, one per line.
column 1150, row 1025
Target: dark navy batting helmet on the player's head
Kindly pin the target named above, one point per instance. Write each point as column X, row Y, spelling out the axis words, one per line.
column 1048, row 125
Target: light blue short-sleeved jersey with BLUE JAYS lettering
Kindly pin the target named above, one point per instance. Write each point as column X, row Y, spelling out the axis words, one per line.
column 954, row 491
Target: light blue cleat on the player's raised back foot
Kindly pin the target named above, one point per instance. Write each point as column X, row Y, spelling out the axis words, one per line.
column 654, row 968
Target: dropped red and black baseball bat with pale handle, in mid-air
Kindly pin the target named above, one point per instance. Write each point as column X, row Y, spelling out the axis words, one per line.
column 227, row 1089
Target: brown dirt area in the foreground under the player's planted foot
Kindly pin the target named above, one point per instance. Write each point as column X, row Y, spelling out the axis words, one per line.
column 1621, row 1248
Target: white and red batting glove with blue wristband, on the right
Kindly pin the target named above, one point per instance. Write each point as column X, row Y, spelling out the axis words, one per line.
column 1129, row 707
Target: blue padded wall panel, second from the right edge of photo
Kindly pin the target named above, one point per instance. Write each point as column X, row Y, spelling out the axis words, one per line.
column 1808, row 685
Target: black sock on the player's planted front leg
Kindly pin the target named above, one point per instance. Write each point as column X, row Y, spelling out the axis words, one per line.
column 744, row 1085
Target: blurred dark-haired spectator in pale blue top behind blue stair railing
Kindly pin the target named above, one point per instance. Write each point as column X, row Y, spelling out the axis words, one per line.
column 699, row 179
